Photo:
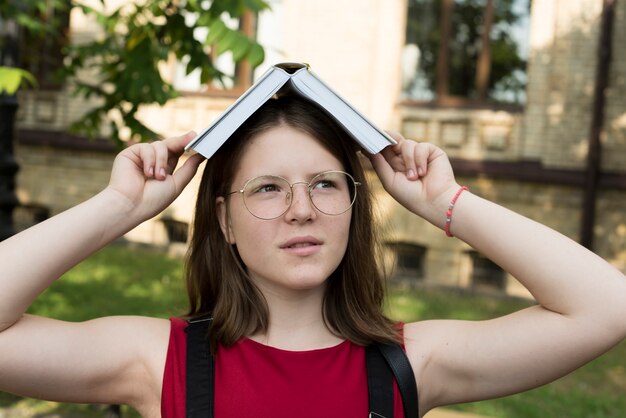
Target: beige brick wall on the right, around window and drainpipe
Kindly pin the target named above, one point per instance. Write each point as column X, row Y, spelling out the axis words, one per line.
column 552, row 133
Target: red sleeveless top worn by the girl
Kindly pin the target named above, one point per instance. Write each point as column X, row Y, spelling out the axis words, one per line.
column 255, row 380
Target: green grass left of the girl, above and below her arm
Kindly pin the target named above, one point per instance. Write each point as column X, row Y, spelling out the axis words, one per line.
column 114, row 281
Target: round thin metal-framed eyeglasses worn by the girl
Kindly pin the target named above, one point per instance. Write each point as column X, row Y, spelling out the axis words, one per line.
column 269, row 197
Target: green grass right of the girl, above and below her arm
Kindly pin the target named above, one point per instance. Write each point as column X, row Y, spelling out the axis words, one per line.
column 594, row 391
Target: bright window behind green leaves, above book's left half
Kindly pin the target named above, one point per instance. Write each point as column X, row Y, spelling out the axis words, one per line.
column 238, row 74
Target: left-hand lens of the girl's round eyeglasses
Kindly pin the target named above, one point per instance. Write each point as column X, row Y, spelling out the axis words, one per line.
column 267, row 197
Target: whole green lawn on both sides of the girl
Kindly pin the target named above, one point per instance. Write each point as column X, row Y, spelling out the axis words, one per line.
column 118, row 280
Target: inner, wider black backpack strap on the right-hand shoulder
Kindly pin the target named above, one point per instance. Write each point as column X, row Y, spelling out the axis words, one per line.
column 379, row 383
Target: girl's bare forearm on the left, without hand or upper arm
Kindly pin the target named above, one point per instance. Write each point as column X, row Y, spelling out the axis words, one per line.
column 35, row 258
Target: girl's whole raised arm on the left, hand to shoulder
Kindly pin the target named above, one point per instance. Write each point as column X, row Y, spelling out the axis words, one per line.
column 81, row 362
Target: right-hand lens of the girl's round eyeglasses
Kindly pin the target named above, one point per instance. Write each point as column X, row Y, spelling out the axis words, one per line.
column 333, row 192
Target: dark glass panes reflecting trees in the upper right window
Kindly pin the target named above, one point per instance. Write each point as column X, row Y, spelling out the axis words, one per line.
column 464, row 43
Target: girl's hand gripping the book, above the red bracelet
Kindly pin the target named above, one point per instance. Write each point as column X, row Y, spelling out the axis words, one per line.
column 418, row 175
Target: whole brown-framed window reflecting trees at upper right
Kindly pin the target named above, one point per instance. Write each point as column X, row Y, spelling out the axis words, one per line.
column 466, row 50
